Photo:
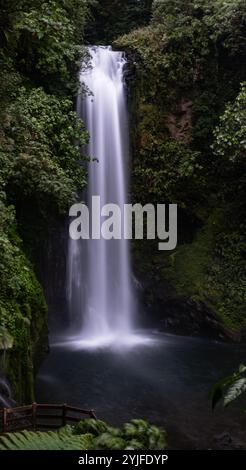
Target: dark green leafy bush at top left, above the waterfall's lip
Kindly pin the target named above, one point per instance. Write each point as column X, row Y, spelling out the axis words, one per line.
column 46, row 37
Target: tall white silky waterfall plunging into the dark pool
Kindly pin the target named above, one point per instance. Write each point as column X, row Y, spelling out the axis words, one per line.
column 99, row 274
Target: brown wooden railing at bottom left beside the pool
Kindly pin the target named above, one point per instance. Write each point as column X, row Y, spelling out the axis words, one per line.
column 41, row 417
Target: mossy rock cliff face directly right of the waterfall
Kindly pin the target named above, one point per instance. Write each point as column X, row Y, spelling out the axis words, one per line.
column 181, row 290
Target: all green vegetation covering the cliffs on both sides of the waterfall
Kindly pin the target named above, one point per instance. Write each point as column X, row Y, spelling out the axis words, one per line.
column 187, row 99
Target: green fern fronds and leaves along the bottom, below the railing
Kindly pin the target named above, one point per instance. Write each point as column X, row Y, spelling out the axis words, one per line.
column 89, row 435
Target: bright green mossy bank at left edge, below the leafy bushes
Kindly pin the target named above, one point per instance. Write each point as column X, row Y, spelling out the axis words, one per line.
column 23, row 311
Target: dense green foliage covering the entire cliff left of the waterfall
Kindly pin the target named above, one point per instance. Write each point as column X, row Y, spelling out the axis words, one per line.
column 41, row 49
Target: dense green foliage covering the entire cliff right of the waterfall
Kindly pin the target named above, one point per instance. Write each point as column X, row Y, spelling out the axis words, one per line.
column 188, row 131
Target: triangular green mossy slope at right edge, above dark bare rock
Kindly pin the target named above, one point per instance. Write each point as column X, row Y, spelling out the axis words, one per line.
column 197, row 272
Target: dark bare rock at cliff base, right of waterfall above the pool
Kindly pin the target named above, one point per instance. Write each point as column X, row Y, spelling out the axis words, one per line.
column 162, row 308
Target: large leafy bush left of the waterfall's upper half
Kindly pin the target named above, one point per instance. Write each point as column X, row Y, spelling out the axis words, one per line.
column 46, row 140
